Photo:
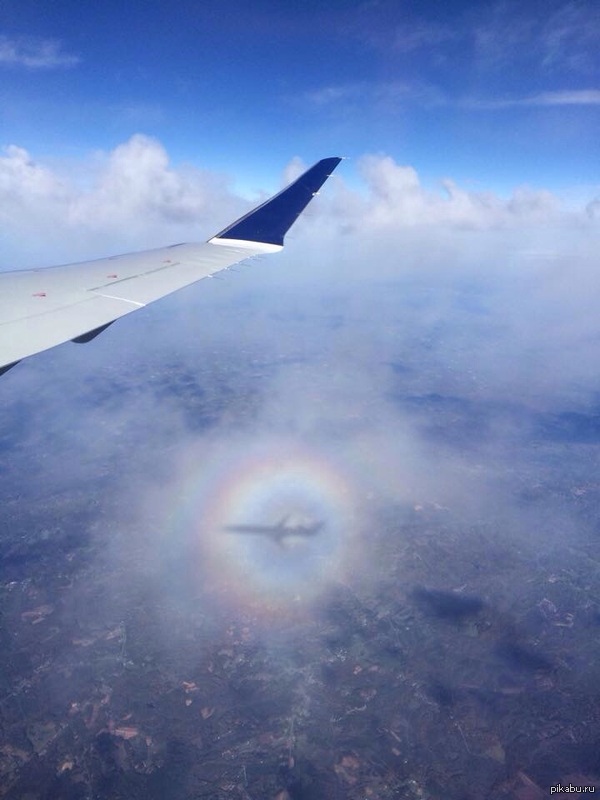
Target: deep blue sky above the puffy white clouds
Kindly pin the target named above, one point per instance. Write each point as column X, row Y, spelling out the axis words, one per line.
column 492, row 94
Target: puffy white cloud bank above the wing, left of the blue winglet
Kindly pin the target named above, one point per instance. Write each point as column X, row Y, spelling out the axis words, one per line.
column 135, row 198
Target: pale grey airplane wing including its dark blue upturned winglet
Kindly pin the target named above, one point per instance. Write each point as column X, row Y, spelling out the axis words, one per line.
column 42, row 308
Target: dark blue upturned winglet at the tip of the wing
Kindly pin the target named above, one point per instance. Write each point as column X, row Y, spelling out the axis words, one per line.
column 271, row 221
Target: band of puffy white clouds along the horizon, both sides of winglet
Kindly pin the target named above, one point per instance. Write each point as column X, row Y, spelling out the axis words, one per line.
column 134, row 197
